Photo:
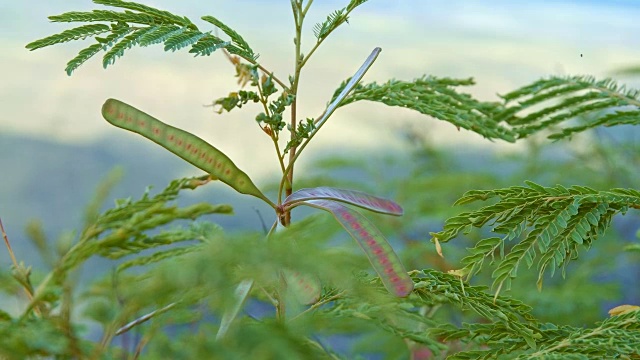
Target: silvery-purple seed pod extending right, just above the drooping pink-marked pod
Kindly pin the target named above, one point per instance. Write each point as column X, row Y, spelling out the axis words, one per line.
column 357, row 198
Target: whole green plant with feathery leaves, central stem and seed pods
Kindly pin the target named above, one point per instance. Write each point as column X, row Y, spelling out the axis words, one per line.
column 207, row 280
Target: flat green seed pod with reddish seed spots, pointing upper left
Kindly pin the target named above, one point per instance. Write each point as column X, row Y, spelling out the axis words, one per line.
column 186, row 145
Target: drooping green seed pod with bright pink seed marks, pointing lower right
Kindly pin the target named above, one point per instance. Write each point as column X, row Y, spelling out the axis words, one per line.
column 381, row 255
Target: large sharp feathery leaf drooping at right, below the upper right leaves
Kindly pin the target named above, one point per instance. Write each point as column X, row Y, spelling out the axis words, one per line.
column 556, row 221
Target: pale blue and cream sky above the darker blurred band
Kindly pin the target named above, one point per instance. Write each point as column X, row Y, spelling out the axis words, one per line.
column 502, row 44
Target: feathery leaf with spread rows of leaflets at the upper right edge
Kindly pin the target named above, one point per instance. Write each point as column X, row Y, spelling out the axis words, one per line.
column 596, row 102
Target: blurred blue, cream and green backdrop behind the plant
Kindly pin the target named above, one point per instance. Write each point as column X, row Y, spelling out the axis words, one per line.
column 55, row 147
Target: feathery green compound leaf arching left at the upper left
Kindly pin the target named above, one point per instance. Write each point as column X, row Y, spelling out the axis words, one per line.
column 125, row 31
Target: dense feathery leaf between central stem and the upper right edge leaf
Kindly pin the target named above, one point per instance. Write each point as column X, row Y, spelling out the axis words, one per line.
column 437, row 98
